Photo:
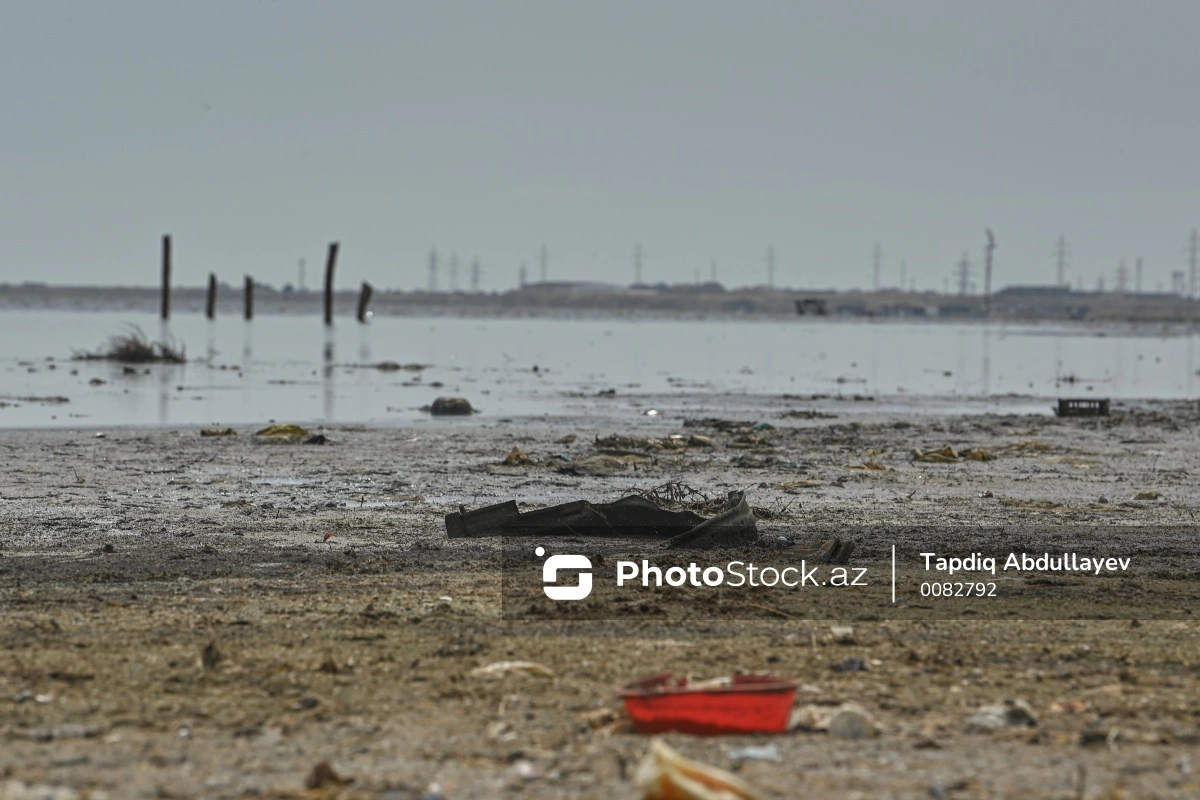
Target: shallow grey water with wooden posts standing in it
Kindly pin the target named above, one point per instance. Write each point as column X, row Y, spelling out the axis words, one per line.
column 293, row 369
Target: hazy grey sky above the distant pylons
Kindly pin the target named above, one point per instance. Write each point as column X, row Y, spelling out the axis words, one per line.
column 256, row 133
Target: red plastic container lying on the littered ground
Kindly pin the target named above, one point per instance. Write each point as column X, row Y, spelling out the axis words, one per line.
column 749, row 705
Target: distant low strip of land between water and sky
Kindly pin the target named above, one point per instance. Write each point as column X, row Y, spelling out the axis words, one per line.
column 707, row 300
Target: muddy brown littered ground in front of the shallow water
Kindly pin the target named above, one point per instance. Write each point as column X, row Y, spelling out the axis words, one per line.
column 124, row 558
